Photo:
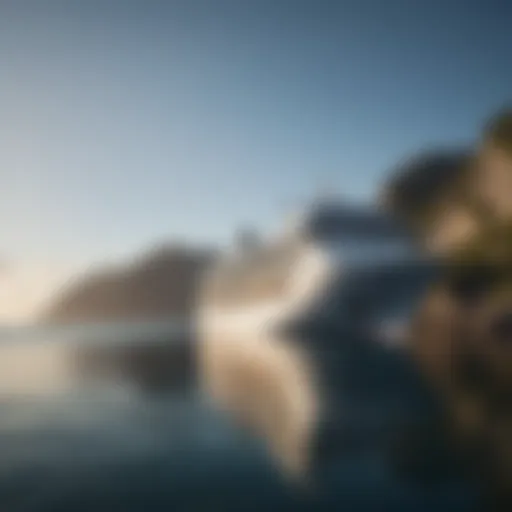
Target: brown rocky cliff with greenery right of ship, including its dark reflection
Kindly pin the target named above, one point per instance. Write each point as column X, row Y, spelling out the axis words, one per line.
column 460, row 206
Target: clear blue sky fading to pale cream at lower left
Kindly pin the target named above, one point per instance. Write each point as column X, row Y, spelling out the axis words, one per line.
column 125, row 123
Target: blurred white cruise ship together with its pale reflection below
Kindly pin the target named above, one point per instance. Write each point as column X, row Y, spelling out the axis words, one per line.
column 336, row 269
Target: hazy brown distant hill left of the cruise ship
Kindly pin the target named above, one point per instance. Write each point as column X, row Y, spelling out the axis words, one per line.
column 160, row 284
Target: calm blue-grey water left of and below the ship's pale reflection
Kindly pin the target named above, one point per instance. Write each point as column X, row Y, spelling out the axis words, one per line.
column 94, row 430
